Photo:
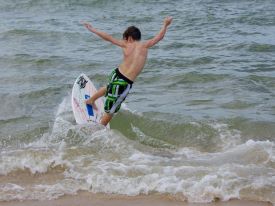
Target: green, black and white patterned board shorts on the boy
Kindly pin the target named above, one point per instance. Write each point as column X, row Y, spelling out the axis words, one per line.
column 117, row 90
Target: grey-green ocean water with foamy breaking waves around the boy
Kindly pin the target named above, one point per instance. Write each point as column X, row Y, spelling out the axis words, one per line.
column 199, row 123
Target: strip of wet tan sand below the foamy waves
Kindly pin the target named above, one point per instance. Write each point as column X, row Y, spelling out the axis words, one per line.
column 90, row 199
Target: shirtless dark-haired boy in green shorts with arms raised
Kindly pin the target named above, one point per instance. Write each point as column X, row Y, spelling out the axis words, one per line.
column 121, row 79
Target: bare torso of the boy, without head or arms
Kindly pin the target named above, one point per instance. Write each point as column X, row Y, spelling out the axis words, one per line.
column 135, row 55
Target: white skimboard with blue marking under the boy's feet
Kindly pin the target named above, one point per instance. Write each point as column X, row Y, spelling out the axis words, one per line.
column 83, row 89
